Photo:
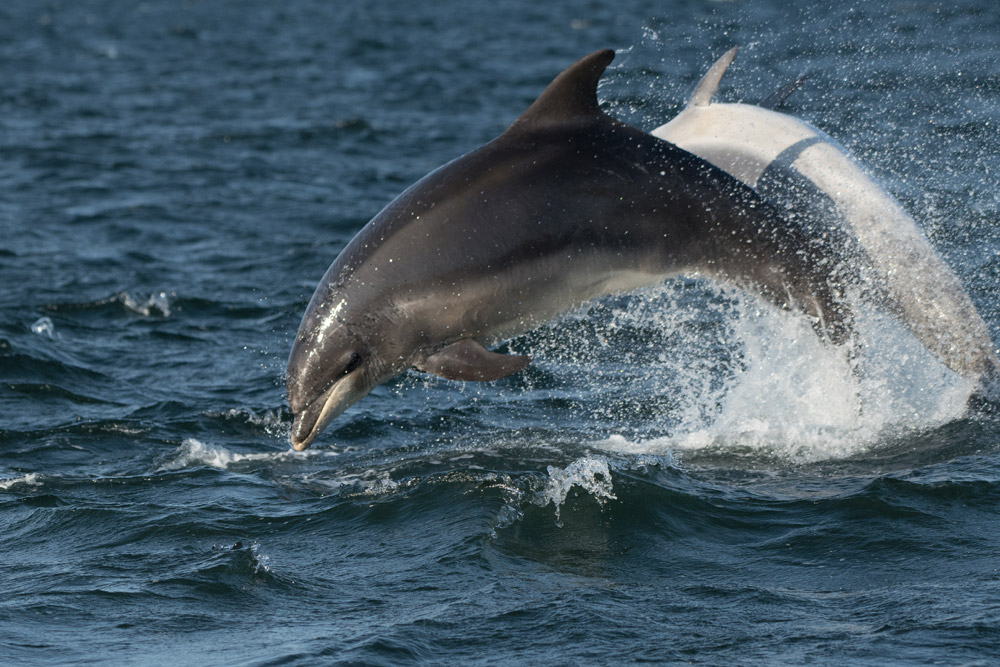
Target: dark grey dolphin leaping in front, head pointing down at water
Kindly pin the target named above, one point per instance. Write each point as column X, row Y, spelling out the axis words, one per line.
column 566, row 205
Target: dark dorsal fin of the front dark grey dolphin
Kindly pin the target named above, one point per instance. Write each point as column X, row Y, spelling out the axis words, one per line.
column 572, row 95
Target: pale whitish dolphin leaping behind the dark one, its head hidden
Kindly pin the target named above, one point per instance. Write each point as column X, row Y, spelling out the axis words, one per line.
column 799, row 168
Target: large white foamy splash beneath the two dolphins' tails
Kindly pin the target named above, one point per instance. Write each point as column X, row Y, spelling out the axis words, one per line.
column 793, row 396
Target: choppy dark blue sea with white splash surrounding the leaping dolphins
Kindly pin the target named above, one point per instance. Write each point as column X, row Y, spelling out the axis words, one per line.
column 681, row 476
